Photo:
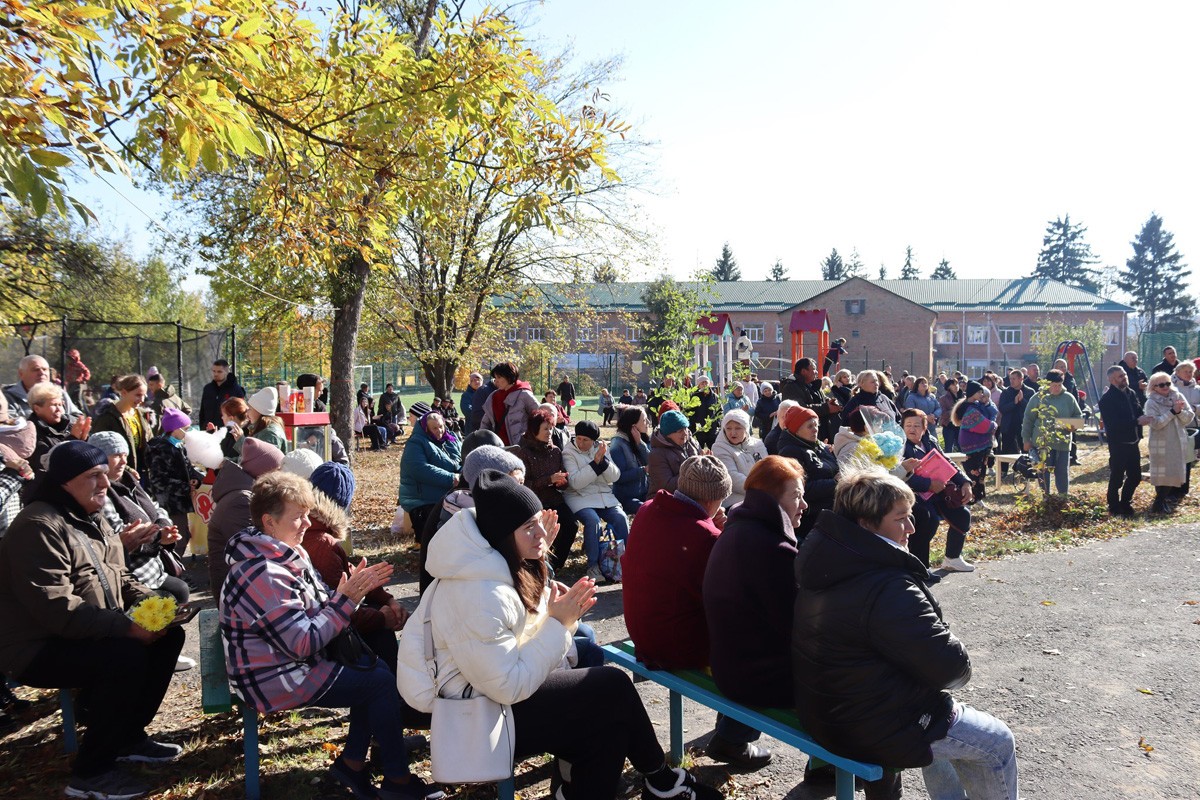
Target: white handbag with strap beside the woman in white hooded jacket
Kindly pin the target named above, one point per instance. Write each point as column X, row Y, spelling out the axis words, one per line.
column 472, row 739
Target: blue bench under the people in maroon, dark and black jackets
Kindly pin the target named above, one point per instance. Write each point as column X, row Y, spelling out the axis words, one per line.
column 781, row 724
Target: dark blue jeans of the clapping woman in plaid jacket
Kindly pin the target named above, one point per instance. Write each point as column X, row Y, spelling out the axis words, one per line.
column 376, row 713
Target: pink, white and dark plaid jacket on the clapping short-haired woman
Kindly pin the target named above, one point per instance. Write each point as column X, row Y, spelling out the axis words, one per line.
column 277, row 618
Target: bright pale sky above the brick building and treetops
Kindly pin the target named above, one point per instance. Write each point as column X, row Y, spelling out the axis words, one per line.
column 961, row 129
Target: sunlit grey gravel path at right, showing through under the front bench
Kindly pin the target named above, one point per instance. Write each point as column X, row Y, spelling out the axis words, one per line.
column 1063, row 643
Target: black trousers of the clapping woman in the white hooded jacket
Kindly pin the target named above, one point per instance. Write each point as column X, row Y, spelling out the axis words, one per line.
column 593, row 719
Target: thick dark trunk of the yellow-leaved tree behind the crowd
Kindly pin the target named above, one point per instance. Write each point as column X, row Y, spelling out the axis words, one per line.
column 349, row 291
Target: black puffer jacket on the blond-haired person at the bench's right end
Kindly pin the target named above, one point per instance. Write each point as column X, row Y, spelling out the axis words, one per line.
column 871, row 654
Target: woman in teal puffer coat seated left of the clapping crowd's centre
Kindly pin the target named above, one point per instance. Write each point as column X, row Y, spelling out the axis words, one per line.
column 429, row 470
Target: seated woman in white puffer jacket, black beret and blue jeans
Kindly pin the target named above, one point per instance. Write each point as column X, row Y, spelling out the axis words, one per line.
column 591, row 476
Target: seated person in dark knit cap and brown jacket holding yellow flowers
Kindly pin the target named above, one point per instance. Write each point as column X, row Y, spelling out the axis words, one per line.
column 64, row 592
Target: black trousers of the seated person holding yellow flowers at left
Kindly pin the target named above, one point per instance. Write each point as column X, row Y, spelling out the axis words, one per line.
column 125, row 682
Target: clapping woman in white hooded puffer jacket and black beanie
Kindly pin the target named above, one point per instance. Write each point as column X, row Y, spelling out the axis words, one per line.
column 501, row 629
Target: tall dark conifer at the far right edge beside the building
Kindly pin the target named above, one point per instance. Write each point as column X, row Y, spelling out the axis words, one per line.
column 1156, row 279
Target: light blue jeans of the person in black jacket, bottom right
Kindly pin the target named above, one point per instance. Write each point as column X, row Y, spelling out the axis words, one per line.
column 976, row 760
